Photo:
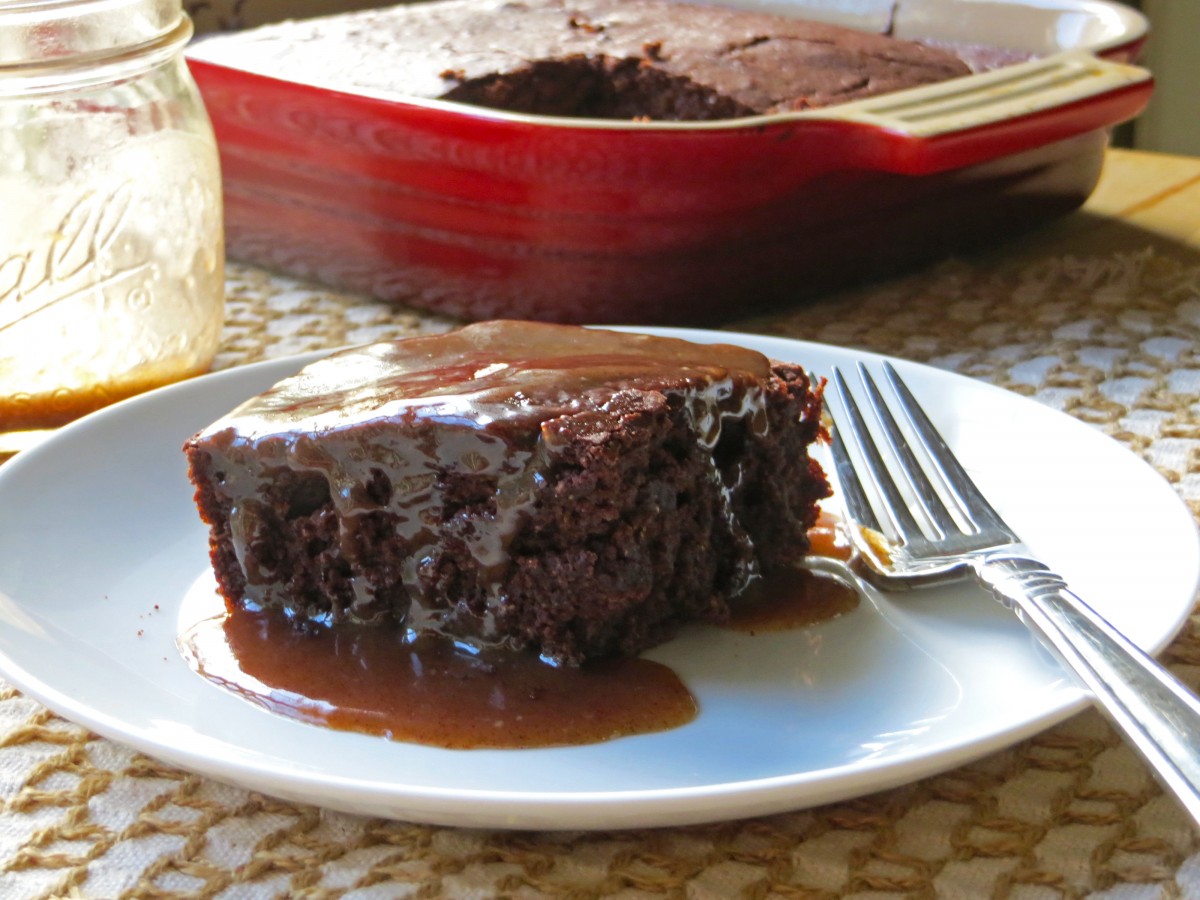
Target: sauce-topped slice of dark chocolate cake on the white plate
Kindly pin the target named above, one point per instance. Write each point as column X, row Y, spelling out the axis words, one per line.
column 579, row 493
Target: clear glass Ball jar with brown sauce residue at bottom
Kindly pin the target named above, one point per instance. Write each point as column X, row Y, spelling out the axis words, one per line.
column 112, row 257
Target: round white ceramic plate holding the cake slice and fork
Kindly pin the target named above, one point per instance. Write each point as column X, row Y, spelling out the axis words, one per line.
column 100, row 545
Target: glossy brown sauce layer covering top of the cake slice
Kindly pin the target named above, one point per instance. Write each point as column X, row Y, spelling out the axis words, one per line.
column 497, row 377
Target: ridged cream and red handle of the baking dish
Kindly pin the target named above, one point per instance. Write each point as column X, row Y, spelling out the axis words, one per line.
column 993, row 115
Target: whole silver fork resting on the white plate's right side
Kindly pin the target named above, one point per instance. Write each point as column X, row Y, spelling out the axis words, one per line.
column 940, row 527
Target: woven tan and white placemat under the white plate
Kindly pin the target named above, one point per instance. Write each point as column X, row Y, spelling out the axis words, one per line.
column 1071, row 813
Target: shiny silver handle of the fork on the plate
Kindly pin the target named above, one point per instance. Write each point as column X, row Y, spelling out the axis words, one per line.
column 1159, row 715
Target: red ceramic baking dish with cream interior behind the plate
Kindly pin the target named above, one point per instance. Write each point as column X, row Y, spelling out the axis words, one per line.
column 482, row 214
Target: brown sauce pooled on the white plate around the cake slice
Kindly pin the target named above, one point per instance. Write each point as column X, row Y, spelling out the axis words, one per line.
column 440, row 693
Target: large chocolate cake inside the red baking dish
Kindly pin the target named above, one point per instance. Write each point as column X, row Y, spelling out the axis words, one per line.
column 609, row 59
